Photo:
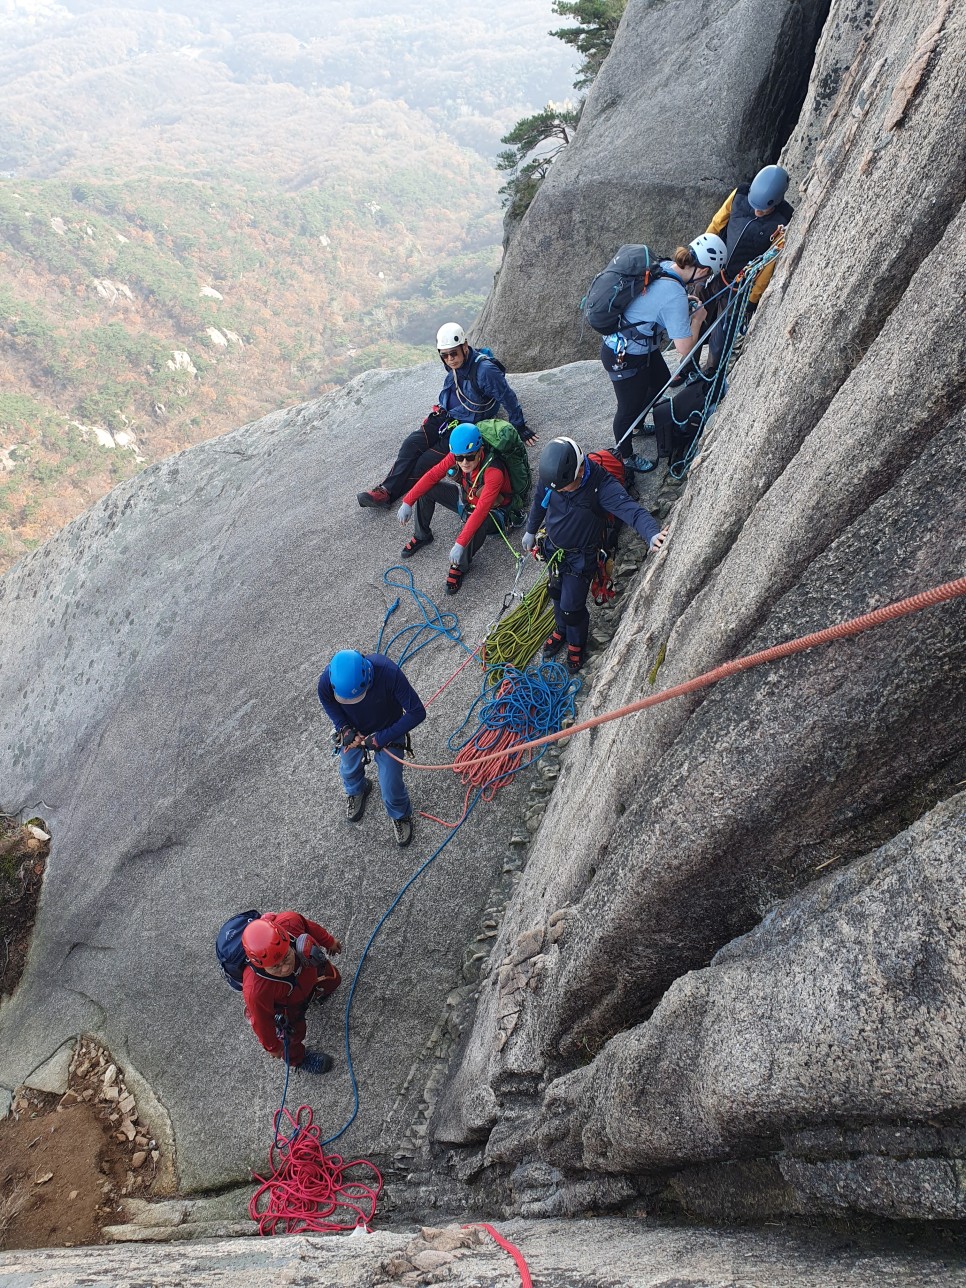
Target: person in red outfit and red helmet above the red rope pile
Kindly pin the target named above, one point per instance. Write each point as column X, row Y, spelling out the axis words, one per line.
column 288, row 969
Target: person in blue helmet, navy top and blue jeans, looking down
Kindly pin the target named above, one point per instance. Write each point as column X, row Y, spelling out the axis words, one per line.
column 373, row 708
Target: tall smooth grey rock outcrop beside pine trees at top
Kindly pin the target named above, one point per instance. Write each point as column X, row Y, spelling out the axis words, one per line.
column 692, row 101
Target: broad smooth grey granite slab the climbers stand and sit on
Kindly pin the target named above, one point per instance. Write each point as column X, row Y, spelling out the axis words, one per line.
column 158, row 697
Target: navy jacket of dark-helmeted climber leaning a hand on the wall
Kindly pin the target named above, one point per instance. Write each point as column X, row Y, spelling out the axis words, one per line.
column 575, row 521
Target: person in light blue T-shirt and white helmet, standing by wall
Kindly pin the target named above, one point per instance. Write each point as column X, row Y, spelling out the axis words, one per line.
column 633, row 356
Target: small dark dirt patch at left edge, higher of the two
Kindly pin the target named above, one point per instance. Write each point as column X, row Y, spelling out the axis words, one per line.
column 24, row 852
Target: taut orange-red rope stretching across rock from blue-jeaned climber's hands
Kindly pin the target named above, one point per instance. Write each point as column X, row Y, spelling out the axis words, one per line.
column 844, row 630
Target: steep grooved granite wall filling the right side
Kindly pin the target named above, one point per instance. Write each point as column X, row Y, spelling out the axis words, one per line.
column 830, row 484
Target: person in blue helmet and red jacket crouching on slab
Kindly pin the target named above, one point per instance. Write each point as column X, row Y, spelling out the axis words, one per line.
column 480, row 491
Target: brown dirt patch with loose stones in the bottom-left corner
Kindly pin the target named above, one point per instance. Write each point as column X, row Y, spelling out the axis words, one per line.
column 68, row 1161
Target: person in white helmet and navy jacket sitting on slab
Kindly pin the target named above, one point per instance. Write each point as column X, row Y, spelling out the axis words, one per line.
column 475, row 390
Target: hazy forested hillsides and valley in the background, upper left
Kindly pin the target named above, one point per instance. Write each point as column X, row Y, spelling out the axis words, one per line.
column 208, row 216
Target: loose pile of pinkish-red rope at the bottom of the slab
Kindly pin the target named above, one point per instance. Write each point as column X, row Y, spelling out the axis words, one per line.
column 308, row 1191
